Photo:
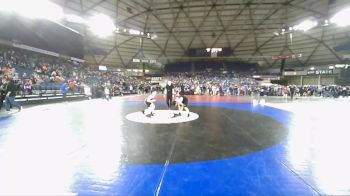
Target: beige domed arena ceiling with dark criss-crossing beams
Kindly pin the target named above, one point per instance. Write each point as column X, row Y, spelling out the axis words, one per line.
column 250, row 27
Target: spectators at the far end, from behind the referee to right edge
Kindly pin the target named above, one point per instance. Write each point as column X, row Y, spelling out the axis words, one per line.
column 205, row 83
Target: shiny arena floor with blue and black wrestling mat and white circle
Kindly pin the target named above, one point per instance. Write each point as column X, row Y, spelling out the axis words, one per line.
column 228, row 146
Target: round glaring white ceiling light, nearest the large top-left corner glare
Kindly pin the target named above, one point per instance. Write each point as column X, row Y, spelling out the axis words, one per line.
column 101, row 25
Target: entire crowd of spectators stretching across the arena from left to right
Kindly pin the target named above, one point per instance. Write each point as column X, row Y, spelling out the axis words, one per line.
column 33, row 70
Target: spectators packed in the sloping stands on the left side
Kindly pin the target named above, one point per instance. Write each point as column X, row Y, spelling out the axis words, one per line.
column 33, row 71
